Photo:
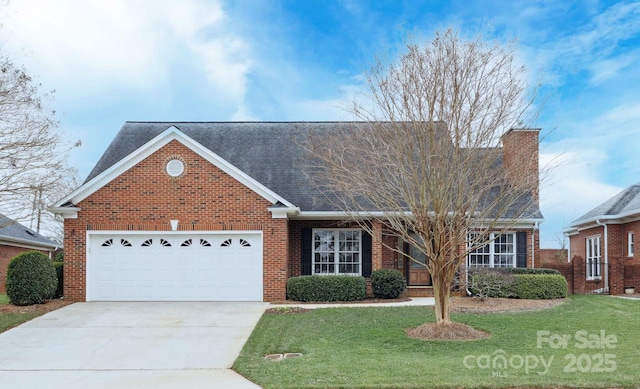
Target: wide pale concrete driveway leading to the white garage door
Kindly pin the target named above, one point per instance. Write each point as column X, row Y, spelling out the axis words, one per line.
column 130, row 345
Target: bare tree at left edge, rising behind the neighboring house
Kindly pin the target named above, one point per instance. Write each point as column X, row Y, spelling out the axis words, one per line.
column 32, row 149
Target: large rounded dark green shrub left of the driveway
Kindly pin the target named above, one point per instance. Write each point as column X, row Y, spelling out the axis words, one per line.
column 31, row 279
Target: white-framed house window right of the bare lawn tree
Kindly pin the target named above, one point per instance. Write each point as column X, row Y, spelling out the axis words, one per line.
column 500, row 252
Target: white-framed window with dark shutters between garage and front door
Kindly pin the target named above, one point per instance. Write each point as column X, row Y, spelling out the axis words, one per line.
column 337, row 252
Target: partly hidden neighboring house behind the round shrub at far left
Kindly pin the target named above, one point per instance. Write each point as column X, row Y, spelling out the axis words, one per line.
column 15, row 239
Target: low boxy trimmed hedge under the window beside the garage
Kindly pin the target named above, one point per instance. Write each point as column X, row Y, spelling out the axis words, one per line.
column 326, row 288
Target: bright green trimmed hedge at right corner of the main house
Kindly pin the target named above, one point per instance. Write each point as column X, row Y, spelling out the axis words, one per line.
column 540, row 286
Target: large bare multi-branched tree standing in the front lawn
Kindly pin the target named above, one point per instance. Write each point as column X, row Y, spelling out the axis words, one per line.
column 425, row 164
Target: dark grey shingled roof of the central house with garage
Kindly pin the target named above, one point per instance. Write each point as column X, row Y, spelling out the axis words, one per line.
column 269, row 152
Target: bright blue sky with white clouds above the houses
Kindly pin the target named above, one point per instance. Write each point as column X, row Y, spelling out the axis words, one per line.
column 163, row 60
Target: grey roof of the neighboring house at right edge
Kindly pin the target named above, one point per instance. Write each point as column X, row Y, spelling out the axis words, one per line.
column 624, row 204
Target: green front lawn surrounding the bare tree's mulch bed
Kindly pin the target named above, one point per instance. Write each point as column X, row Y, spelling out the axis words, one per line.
column 366, row 348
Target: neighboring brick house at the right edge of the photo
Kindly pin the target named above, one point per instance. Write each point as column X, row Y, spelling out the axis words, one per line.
column 601, row 245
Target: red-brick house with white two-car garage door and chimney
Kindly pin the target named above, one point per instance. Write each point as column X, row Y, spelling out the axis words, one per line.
column 223, row 211
